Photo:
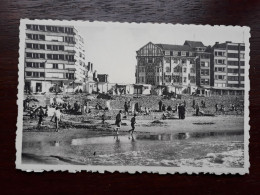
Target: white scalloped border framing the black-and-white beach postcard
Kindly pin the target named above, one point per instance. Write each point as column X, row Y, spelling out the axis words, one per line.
column 127, row 169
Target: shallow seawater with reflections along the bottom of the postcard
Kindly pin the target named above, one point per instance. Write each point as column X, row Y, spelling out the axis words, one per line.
column 139, row 149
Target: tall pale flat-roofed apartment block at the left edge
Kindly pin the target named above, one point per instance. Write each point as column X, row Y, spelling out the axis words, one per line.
column 54, row 55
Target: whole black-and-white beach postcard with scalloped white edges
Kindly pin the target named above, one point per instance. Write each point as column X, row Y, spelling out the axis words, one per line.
column 133, row 97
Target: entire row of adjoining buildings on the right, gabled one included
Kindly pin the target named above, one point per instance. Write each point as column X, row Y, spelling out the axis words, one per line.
column 193, row 67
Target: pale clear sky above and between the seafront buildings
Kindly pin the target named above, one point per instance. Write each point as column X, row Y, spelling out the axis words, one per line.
column 111, row 47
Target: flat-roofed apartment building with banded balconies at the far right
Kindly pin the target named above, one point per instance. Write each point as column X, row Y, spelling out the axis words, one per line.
column 228, row 62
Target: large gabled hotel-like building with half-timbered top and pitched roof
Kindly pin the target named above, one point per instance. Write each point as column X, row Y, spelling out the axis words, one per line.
column 167, row 65
